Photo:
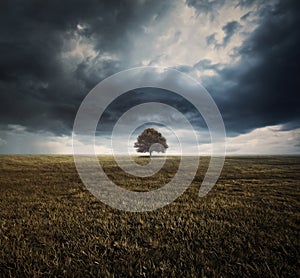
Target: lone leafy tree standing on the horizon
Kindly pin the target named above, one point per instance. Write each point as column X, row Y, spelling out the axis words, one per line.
column 150, row 140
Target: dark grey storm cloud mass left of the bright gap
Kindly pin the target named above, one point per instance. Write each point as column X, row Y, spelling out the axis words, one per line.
column 40, row 91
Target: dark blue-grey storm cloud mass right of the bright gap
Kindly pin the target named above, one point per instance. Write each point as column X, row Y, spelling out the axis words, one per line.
column 263, row 88
